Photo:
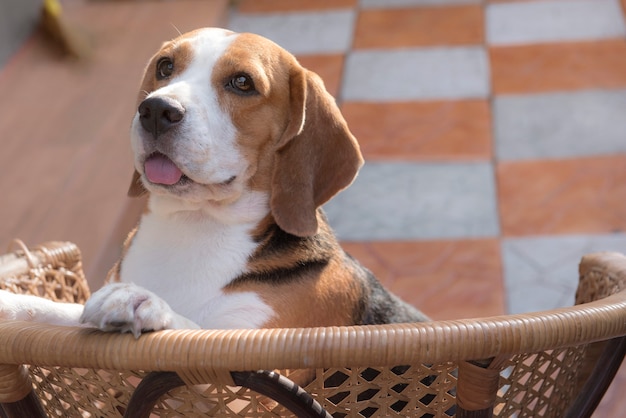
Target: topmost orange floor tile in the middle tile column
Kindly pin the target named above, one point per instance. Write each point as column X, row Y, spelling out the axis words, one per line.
column 458, row 25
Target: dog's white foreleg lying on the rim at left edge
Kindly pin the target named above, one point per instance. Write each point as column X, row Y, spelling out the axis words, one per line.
column 37, row 309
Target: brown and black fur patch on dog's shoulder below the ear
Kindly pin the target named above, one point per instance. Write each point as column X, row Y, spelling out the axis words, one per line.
column 303, row 279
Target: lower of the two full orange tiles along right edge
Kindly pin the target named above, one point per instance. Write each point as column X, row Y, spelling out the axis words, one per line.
column 560, row 197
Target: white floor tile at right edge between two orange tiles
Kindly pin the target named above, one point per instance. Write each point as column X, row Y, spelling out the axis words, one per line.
column 560, row 125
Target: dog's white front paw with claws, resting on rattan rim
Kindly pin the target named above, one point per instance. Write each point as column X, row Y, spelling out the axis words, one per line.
column 125, row 307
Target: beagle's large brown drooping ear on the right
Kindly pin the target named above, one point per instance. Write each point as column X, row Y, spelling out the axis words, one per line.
column 317, row 156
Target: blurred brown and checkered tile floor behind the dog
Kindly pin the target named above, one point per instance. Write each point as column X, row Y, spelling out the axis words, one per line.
column 494, row 134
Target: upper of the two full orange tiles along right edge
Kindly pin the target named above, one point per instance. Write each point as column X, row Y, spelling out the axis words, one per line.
column 563, row 66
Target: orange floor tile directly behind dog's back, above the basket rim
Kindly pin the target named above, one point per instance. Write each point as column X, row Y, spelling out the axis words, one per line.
column 446, row 279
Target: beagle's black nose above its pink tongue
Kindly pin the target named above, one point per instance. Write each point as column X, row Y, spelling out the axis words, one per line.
column 158, row 114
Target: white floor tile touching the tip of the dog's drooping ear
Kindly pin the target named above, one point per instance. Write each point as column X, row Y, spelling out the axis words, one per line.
column 417, row 201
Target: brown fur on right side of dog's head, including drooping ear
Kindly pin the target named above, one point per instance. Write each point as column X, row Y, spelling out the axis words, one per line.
column 291, row 132
